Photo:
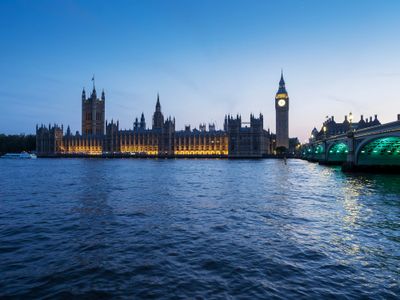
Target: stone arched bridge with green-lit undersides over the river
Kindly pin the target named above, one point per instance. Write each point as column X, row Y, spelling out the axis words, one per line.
column 376, row 147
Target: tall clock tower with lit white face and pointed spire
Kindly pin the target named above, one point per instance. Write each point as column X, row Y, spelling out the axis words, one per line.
column 282, row 115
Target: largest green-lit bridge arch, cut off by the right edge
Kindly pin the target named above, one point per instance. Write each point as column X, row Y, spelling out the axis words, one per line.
column 382, row 150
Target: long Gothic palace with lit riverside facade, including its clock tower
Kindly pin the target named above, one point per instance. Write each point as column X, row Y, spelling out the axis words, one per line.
column 102, row 138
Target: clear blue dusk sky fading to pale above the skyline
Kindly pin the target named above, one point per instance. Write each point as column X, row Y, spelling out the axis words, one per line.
column 205, row 59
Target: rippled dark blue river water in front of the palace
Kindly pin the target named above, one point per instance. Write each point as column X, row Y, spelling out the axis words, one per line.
column 142, row 228
